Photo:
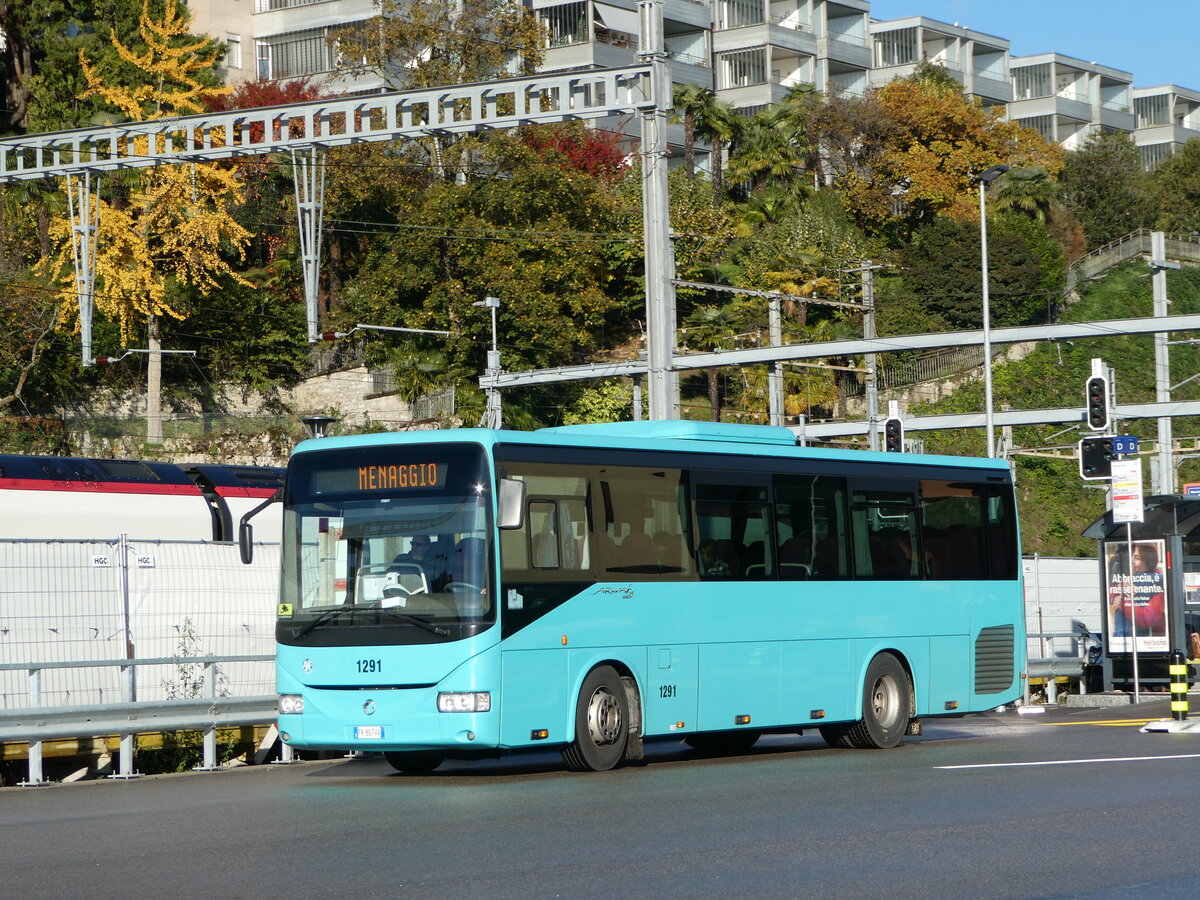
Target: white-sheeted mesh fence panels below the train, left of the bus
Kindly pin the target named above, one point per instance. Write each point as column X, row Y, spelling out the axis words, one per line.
column 64, row 602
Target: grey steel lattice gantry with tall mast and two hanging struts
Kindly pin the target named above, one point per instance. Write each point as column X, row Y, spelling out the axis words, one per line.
column 308, row 130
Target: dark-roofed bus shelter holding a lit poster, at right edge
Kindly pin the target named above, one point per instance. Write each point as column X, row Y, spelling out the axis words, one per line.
column 1150, row 585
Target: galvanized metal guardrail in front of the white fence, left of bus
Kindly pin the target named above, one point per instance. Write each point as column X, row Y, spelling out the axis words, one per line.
column 129, row 717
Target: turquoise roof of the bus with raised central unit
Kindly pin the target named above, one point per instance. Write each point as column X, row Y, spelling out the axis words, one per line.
column 680, row 436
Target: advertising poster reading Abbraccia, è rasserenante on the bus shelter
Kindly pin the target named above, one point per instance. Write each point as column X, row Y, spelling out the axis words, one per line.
column 1145, row 611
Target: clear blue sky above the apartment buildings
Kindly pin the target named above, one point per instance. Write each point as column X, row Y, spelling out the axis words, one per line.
column 1159, row 41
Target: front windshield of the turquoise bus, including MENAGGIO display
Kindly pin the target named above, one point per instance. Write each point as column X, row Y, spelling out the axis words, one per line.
column 387, row 545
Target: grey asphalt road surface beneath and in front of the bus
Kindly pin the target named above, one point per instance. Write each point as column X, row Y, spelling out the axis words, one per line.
column 1072, row 803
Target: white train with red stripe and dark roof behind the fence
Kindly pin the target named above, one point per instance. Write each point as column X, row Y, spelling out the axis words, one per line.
column 55, row 497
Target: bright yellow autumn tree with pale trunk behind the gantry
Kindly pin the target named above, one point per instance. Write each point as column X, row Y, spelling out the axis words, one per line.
column 172, row 227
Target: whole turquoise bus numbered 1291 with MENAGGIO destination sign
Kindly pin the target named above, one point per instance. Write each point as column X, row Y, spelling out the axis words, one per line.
column 452, row 595
